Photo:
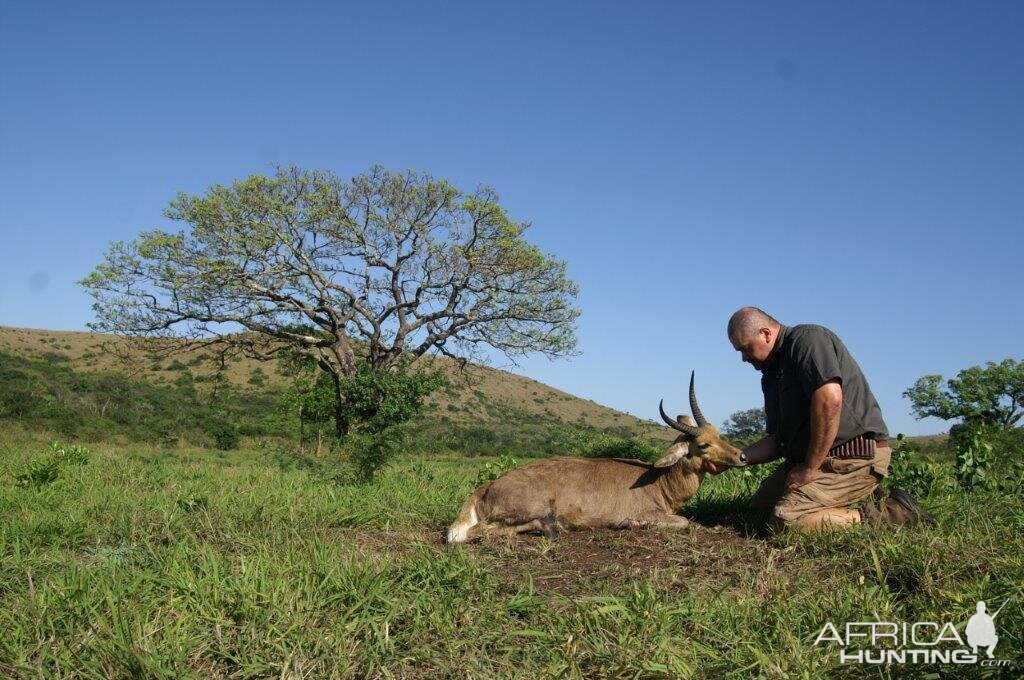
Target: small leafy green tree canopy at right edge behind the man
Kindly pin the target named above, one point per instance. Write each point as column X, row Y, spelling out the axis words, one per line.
column 991, row 395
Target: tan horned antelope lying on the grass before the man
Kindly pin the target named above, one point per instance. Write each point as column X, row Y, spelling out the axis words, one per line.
column 617, row 493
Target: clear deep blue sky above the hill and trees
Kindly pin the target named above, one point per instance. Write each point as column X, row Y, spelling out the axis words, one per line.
column 858, row 165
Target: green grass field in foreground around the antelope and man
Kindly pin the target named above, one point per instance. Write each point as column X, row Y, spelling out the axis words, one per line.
column 150, row 563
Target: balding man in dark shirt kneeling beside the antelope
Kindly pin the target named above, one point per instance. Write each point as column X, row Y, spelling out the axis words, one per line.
column 824, row 420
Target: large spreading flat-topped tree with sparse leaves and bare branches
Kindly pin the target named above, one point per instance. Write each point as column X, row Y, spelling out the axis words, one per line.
column 379, row 271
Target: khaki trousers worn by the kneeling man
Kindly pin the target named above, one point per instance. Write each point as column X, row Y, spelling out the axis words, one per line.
column 843, row 483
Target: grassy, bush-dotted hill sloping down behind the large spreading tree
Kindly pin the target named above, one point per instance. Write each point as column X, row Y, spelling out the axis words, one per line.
column 83, row 386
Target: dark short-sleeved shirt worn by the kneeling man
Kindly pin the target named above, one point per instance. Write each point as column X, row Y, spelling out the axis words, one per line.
column 806, row 358
